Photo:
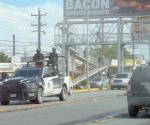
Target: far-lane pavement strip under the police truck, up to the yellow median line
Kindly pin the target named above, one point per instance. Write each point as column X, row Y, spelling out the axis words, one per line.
column 52, row 101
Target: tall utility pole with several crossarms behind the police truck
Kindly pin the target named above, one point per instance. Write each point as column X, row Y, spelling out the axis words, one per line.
column 39, row 26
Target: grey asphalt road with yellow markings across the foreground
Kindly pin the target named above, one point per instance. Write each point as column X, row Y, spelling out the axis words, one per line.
column 101, row 107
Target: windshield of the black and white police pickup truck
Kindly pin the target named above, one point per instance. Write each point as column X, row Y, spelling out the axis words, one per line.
column 27, row 73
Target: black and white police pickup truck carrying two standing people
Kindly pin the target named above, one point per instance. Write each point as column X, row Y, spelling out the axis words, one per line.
column 33, row 83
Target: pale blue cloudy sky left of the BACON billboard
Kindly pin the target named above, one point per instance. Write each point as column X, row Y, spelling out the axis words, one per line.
column 15, row 18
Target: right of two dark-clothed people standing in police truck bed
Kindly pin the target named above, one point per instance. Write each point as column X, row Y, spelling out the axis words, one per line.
column 53, row 59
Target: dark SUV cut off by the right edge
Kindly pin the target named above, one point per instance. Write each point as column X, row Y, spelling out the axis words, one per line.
column 138, row 94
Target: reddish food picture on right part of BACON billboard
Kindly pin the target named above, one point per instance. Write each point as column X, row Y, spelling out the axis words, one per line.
column 131, row 7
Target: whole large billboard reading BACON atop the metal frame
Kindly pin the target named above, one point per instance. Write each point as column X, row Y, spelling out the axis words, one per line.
column 97, row 8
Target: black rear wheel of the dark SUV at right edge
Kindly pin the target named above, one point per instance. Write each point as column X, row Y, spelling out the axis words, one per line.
column 133, row 111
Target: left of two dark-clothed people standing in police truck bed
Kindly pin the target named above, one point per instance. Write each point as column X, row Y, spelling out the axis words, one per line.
column 38, row 57
